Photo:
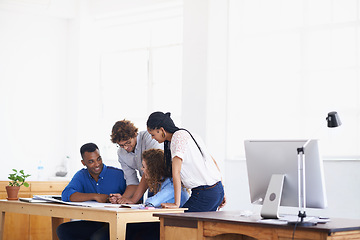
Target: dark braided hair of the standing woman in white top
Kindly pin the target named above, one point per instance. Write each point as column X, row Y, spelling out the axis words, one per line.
column 159, row 120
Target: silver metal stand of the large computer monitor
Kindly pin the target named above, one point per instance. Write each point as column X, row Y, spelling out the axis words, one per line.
column 271, row 203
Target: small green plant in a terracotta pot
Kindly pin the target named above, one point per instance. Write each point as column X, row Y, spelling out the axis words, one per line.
column 17, row 179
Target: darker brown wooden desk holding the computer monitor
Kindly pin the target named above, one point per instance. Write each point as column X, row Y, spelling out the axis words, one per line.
column 230, row 225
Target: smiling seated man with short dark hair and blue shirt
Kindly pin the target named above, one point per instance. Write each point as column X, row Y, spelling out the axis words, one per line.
column 95, row 182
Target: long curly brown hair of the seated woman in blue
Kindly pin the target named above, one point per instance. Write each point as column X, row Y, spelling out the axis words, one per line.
column 154, row 159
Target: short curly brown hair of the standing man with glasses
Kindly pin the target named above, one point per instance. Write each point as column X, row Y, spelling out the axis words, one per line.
column 123, row 131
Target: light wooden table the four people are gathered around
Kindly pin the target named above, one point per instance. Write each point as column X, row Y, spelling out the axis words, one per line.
column 116, row 217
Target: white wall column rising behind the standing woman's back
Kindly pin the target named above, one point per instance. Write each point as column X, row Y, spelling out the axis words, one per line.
column 205, row 72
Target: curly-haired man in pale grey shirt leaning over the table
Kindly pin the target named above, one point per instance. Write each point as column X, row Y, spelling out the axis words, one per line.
column 131, row 144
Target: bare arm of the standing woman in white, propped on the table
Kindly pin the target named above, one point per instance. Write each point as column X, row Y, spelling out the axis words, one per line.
column 176, row 168
